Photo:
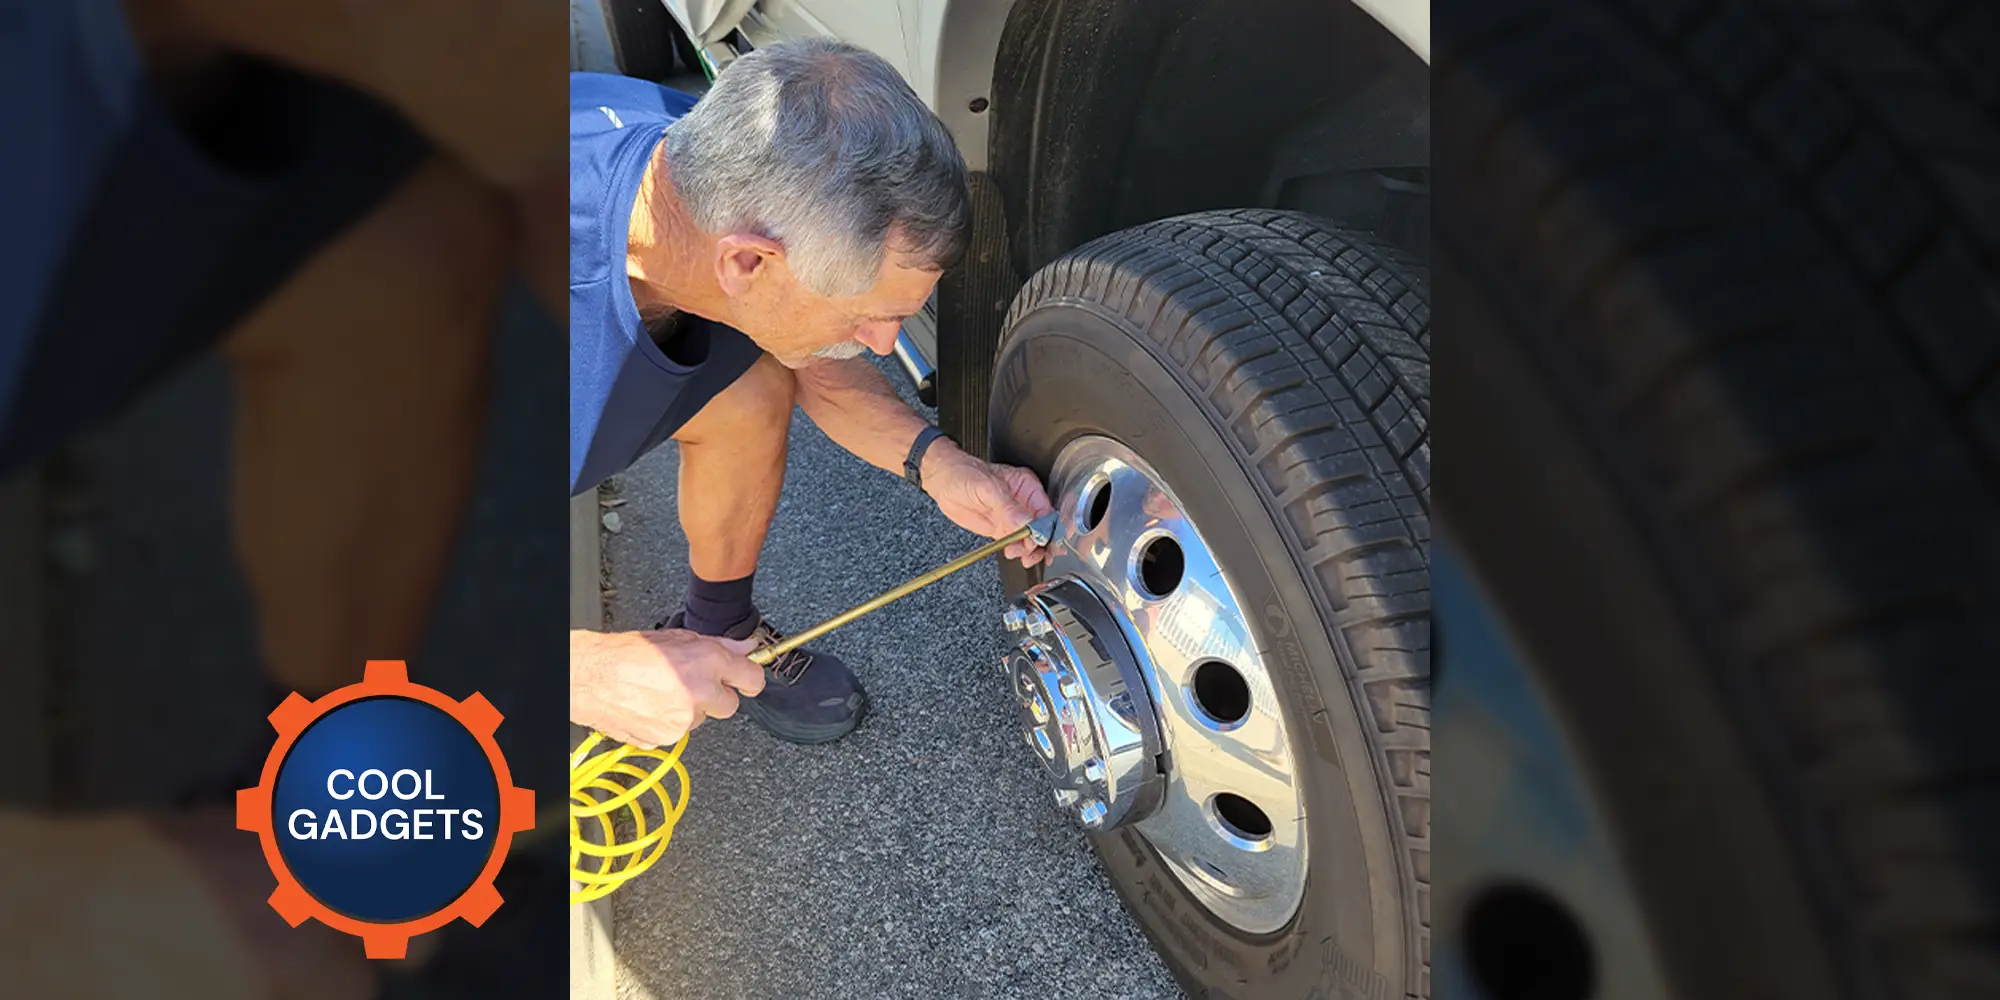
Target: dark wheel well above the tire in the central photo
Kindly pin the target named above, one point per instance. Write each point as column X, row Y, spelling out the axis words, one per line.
column 1109, row 115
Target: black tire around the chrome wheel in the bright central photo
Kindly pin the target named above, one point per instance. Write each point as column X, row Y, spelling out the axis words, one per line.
column 1273, row 369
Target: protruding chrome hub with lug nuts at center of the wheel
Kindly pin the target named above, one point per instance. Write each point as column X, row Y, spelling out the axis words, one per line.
column 1083, row 707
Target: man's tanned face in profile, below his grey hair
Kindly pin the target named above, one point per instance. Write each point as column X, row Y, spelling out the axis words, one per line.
column 801, row 327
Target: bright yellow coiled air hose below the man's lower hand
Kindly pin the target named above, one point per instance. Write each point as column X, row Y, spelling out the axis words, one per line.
column 611, row 787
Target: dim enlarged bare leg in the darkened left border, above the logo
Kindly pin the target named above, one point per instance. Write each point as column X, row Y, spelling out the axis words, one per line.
column 361, row 401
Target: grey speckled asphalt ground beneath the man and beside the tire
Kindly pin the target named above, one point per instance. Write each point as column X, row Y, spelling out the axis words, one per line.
column 917, row 857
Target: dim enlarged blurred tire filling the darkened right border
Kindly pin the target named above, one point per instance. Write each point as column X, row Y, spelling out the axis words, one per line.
column 1725, row 455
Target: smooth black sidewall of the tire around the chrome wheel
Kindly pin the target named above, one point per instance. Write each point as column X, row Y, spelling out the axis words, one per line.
column 1073, row 369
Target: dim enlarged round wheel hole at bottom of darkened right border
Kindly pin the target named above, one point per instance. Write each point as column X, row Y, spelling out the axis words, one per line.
column 1525, row 945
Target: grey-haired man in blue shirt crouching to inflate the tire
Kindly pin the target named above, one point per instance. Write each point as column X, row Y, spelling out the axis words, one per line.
column 729, row 261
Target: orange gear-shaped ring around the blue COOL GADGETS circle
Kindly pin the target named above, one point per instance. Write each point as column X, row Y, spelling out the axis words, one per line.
column 257, row 809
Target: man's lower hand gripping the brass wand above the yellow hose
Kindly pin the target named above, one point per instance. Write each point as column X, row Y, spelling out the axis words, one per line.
column 649, row 689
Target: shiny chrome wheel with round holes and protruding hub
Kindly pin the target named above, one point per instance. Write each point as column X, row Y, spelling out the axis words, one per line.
column 1143, row 693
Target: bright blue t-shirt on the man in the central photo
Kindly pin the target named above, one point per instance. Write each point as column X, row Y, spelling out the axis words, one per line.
column 627, row 395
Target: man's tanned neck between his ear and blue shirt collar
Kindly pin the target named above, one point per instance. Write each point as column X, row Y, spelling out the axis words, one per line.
column 667, row 255
